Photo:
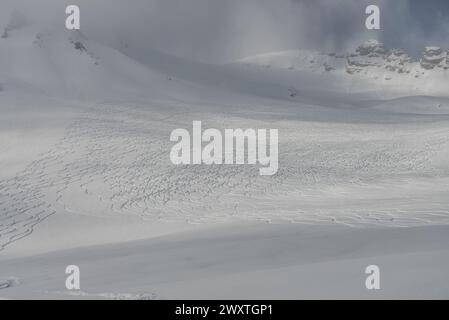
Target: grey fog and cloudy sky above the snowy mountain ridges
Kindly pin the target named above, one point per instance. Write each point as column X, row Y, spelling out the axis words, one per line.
column 216, row 31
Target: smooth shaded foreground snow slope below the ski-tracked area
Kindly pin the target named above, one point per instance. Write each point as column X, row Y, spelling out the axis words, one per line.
column 245, row 262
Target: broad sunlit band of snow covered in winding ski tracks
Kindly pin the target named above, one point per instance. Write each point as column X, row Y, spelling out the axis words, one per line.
column 117, row 158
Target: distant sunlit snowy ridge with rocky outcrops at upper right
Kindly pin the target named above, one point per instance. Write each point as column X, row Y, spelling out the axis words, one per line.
column 373, row 66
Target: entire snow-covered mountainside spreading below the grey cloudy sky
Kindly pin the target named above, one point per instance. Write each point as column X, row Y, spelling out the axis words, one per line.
column 86, row 178
